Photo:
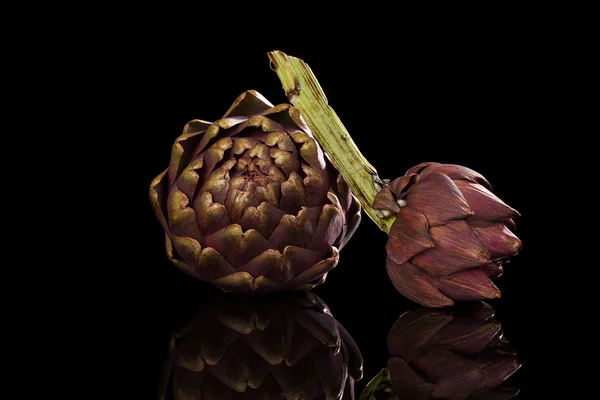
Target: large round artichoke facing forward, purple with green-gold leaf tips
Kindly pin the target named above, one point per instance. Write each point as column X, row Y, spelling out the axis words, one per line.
column 251, row 204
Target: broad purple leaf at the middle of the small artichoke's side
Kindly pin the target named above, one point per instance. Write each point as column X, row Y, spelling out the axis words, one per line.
column 457, row 248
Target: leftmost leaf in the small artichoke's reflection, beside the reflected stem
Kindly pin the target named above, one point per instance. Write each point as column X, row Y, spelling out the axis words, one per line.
column 407, row 382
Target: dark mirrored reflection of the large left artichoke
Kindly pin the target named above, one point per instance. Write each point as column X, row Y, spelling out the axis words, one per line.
column 273, row 347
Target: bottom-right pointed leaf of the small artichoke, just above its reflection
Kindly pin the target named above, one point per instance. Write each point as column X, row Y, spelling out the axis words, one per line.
column 468, row 285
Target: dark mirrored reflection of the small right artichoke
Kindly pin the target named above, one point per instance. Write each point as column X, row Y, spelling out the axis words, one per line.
column 455, row 355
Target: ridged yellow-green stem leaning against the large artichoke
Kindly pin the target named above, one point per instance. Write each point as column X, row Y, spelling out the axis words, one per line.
column 304, row 92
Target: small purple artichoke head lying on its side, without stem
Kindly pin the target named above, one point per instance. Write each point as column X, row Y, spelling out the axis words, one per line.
column 450, row 237
